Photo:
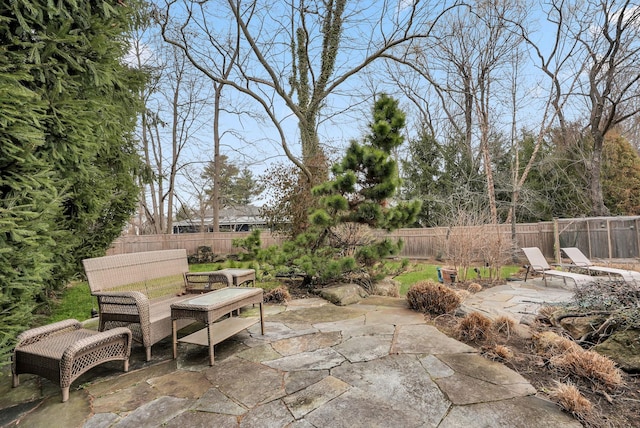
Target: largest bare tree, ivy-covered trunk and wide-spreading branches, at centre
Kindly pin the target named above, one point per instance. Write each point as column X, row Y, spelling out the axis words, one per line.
column 295, row 55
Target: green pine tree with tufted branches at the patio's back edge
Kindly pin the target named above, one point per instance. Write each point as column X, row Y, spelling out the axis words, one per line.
column 361, row 194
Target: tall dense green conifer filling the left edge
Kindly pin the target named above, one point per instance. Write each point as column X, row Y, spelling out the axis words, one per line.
column 67, row 156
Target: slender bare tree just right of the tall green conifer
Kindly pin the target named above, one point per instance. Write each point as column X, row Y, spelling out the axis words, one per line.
column 175, row 99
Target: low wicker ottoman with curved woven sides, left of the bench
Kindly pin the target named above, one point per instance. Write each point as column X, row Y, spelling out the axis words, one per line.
column 62, row 351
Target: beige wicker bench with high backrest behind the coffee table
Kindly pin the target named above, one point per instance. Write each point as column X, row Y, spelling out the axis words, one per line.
column 136, row 291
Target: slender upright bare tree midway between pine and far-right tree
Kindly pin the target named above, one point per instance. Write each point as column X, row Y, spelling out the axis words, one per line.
column 466, row 66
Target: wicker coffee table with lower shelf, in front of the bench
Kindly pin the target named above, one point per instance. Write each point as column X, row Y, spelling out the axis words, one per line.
column 210, row 307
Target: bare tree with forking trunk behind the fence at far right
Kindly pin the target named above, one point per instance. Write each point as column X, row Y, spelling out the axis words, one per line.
column 594, row 69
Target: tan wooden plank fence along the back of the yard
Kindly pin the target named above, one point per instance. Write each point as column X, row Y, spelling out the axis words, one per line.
column 597, row 237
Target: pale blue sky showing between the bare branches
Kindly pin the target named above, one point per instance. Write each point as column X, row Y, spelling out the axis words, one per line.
column 252, row 141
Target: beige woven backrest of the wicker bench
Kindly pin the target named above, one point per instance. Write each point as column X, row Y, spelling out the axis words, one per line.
column 155, row 273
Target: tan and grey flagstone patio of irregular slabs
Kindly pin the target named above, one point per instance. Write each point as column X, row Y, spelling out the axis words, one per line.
column 371, row 364
